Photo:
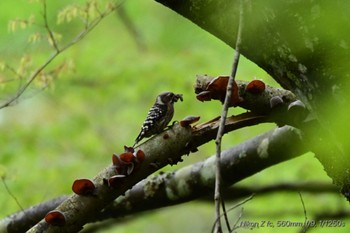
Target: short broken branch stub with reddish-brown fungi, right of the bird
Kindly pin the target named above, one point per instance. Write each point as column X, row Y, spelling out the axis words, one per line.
column 277, row 103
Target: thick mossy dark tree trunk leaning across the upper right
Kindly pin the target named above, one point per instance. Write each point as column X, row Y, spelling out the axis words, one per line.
column 304, row 46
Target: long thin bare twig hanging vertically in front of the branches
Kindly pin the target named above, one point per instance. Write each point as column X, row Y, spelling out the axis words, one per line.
column 217, row 196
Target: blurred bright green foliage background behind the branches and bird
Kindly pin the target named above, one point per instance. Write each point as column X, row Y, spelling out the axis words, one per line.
column 70, row 130
